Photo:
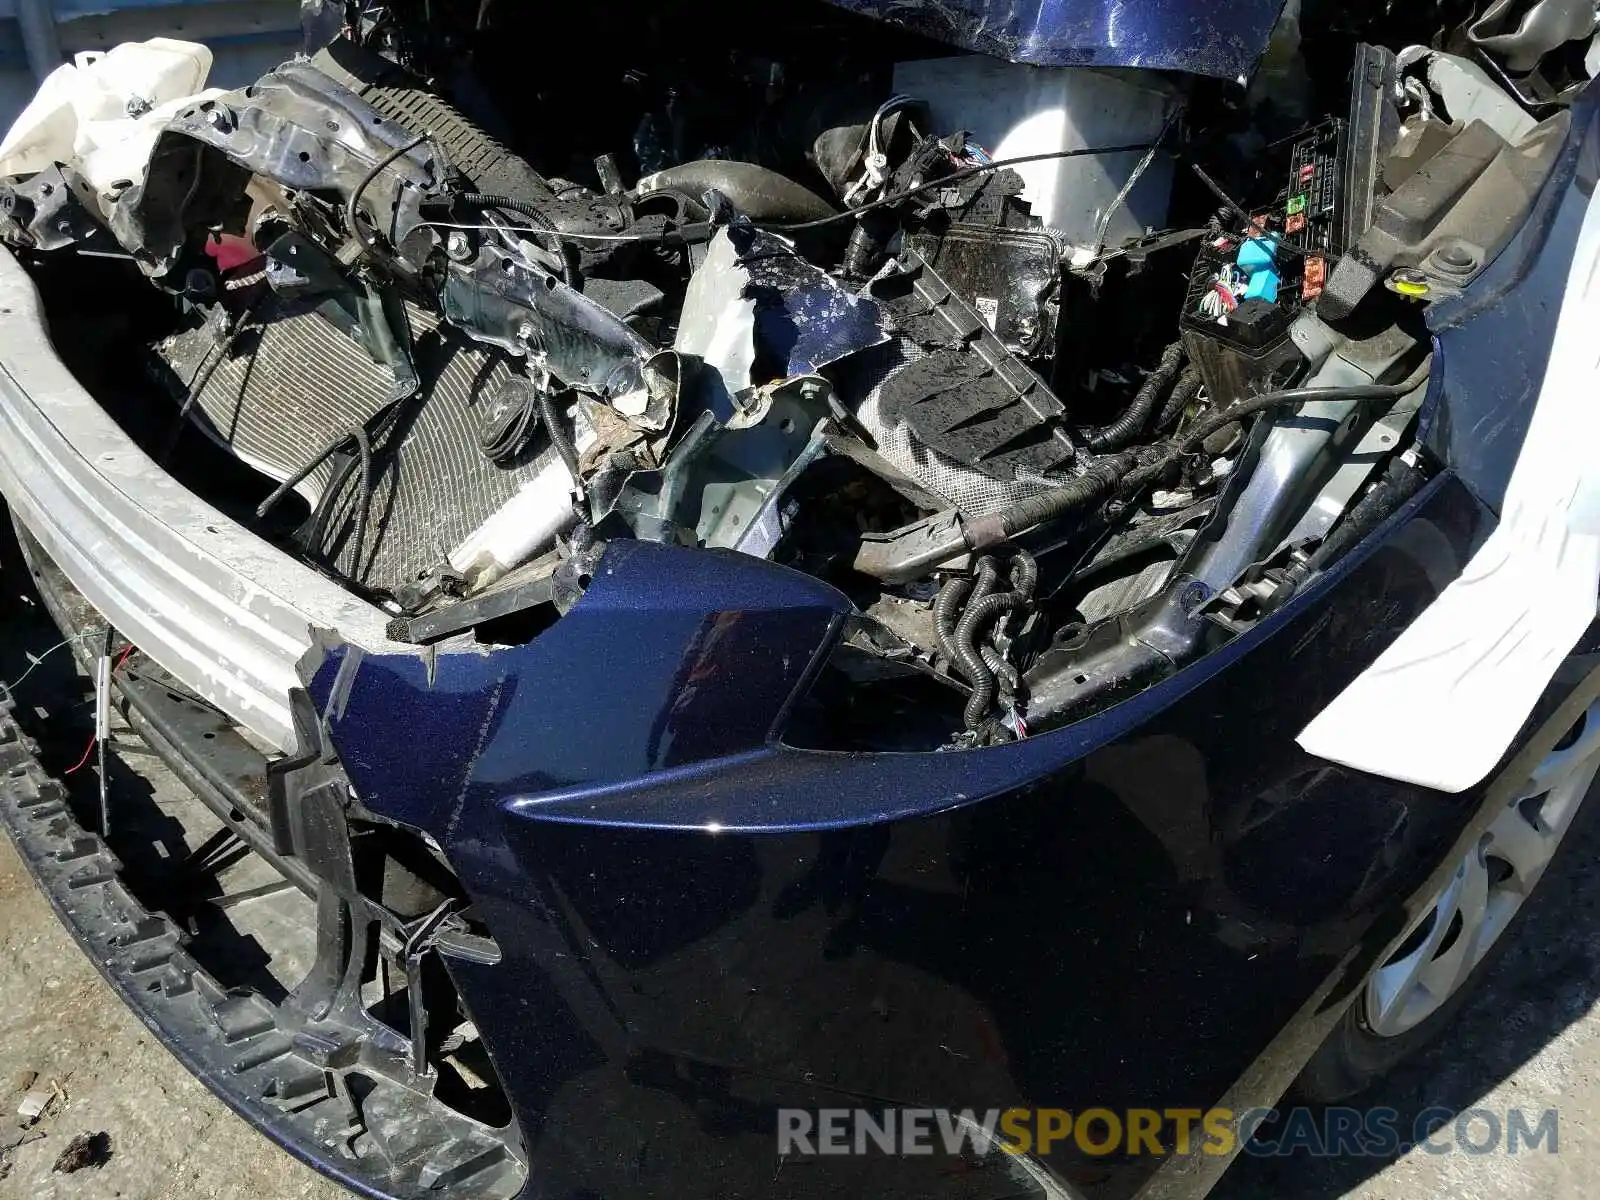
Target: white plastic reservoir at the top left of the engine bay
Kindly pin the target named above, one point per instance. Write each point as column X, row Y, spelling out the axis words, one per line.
column 103, row 113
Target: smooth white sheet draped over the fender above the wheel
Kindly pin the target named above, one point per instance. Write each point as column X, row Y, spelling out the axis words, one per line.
column 1444, row 703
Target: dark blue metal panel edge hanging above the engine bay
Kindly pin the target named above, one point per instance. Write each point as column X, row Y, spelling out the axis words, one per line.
column 1207, row 39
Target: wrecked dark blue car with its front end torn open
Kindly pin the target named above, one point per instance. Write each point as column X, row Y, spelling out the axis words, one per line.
column 860, row 556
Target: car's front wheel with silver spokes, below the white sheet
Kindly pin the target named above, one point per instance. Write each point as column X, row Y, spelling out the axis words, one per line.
column 1425, row 980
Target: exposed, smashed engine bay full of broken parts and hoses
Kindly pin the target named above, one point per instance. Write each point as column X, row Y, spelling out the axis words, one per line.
column 1065, row 377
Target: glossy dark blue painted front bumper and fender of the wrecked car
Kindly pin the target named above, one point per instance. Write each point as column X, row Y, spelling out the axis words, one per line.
column 700, row 926
